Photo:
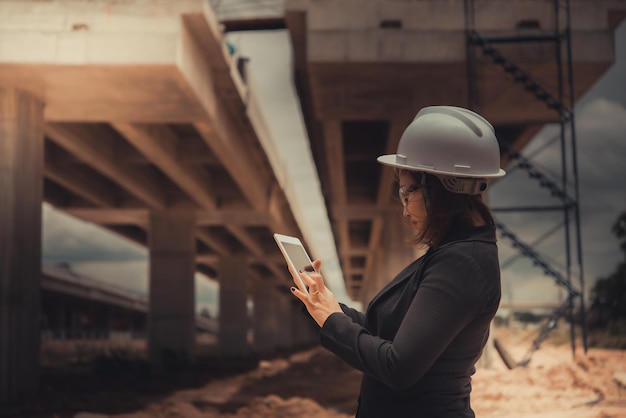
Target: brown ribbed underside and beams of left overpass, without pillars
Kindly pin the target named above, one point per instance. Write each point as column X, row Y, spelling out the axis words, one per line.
column 124, row 139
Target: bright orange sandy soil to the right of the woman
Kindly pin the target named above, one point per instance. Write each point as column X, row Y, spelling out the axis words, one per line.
column 555, row 384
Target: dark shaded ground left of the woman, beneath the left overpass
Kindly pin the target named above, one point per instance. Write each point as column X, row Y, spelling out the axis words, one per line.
column 115, row 386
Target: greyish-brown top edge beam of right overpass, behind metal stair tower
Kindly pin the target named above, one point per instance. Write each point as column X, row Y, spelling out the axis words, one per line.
column 433, row 31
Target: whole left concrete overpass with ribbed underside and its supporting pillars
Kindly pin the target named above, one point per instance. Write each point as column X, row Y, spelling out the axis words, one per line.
column 136, row 116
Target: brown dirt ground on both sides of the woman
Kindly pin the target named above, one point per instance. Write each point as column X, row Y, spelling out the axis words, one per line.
column 314, row 383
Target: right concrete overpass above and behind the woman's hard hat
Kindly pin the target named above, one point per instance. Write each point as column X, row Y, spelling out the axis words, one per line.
column 364, row 68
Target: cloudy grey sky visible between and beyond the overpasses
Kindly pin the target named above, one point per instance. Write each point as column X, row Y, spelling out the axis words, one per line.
column 600, row 129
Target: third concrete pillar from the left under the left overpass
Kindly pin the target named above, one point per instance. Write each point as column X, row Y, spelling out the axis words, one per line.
column 234, row 319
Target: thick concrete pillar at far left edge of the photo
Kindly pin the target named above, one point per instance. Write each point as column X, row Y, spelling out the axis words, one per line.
column 21, row 195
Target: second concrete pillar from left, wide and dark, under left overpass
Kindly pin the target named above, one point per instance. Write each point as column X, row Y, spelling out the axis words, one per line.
column 172, row 317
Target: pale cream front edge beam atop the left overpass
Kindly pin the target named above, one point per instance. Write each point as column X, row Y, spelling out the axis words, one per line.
column 78, row 33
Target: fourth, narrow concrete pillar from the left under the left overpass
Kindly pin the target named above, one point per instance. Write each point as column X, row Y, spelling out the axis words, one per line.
column 265, row 319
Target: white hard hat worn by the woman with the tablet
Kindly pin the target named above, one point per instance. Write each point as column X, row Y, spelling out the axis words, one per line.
column 450, row 142
